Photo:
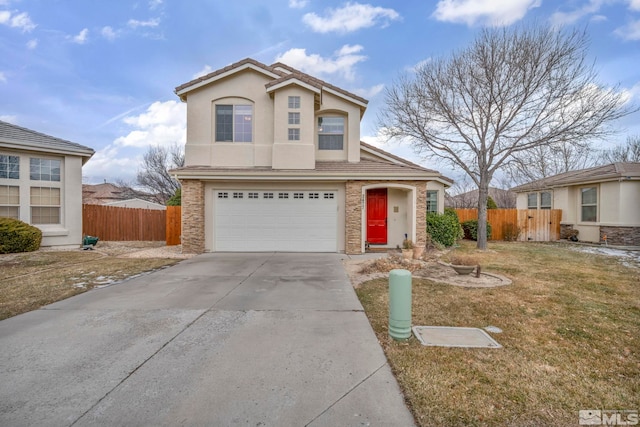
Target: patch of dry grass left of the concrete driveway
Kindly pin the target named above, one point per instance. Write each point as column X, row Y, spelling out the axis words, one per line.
column 32, row 280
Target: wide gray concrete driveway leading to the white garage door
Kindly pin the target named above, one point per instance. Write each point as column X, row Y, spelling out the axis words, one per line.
column 218, row 340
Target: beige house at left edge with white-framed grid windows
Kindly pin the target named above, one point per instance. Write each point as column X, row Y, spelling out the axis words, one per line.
column 41, row 183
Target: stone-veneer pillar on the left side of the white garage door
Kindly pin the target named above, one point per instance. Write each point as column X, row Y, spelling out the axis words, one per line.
column 192, row 216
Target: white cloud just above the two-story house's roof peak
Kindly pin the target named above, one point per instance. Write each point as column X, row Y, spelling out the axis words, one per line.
column 341, row 63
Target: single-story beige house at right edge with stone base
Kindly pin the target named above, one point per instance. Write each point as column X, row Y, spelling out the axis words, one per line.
column 598, row 202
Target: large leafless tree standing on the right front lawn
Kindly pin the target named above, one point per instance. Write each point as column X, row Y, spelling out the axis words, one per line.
column 514, row 89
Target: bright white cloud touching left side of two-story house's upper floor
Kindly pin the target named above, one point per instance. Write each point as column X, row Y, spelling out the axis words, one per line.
column 164, row 124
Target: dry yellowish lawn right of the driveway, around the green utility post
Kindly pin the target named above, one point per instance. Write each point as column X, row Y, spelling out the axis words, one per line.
column 571, row 340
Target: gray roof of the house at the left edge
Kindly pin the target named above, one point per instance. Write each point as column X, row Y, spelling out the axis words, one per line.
column 13, row 136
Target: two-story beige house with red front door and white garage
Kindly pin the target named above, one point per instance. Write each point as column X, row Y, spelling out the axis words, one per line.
column 274, row 162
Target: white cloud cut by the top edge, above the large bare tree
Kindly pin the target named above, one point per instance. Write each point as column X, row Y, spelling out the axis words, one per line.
column 483, row 12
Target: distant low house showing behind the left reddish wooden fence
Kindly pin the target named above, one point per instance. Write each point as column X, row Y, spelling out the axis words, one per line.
column 113, row 195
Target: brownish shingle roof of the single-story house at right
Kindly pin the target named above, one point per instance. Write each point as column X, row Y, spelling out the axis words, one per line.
column 608, row 172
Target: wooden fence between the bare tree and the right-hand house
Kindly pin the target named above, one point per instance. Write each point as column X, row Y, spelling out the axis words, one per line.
column 538, row 225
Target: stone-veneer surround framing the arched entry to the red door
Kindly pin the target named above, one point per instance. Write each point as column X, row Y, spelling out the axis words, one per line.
column 353, row 212
